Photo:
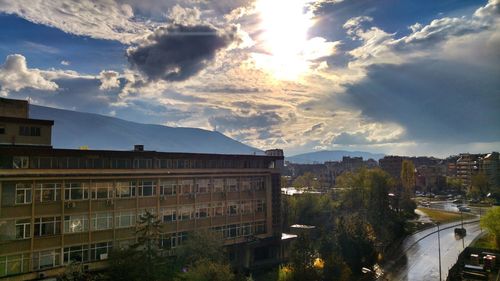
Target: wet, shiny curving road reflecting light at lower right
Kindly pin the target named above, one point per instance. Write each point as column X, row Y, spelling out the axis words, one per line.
column 418, row 260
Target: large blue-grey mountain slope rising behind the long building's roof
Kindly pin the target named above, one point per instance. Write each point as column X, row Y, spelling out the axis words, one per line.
column 74, row 129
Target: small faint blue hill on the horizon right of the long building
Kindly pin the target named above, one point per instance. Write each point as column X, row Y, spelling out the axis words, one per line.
column 330, row 155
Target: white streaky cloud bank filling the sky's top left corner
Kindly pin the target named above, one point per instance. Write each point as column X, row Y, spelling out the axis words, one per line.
column 104, row 19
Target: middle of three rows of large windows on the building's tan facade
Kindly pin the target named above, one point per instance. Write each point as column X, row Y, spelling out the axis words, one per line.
column 45, row 226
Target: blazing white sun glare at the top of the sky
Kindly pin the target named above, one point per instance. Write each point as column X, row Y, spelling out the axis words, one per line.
column 284, row 25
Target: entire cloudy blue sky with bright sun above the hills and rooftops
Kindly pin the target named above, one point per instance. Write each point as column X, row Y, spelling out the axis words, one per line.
column 393, row 76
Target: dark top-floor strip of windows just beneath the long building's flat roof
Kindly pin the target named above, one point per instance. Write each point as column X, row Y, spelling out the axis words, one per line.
column 36, row 162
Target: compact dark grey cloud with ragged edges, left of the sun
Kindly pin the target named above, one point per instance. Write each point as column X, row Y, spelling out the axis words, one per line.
column 177, row 52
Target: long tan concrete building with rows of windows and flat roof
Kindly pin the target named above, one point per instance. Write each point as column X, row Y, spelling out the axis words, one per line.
column 60, row 206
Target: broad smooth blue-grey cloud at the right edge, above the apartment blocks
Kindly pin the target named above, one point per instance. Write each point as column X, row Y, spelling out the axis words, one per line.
column 434, row 100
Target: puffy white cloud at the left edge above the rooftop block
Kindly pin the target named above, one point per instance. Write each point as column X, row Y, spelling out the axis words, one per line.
column 15, row 75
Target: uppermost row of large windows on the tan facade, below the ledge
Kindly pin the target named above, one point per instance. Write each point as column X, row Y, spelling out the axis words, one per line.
column 46, row 192
